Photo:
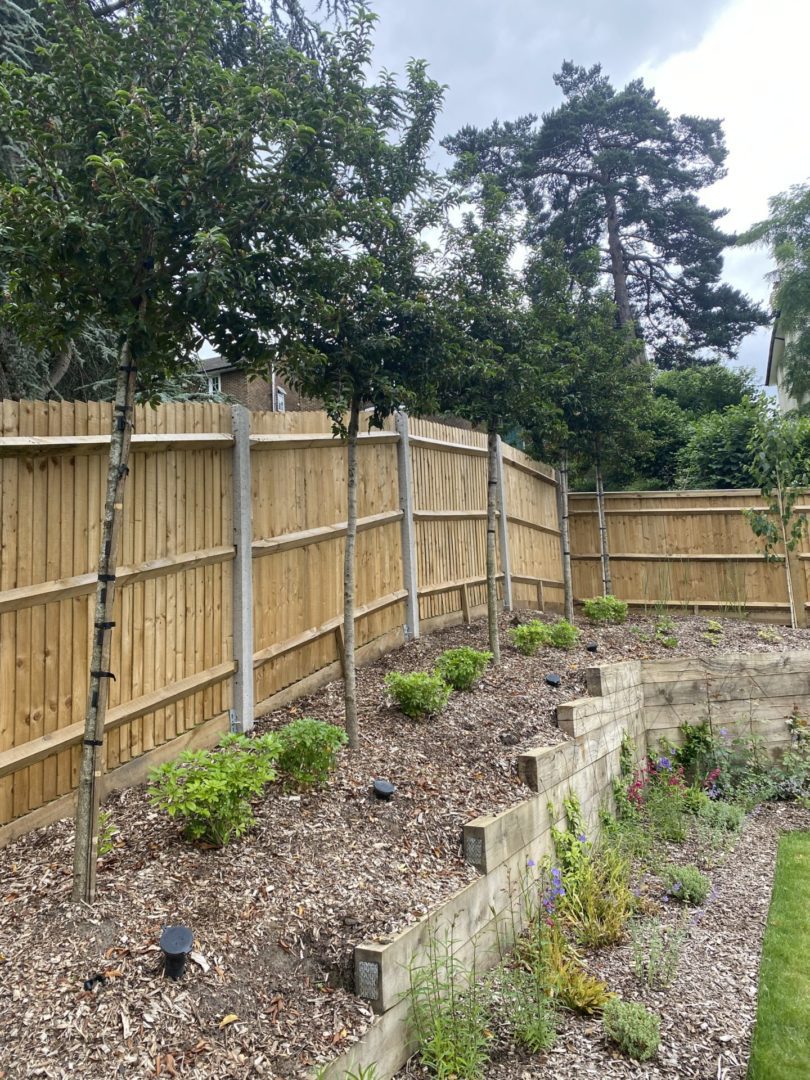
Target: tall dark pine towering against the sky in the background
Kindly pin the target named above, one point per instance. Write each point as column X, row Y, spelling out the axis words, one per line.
column 614, row 170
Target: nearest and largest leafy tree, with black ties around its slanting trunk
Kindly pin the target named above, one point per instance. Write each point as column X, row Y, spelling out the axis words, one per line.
column 157, row 191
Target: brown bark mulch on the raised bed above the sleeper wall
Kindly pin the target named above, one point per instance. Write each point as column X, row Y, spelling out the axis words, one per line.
column 276, row 917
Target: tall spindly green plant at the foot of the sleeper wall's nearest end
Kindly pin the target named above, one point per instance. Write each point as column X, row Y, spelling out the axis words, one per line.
column 450, row 1014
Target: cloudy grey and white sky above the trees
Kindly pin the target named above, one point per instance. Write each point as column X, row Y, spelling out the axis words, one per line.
column 745, row 61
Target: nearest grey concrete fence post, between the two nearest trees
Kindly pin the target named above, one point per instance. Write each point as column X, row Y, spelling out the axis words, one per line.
column 244, row 695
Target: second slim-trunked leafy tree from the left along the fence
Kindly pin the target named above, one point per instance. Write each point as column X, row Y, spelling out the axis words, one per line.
column 359, row 328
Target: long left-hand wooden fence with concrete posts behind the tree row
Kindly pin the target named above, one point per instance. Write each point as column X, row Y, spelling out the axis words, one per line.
column 231, row 586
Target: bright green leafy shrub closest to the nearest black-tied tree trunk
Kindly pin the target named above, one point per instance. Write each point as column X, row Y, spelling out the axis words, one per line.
column 211, row 791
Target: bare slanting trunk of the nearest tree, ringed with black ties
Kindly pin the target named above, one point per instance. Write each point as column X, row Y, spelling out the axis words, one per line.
column 87, row 808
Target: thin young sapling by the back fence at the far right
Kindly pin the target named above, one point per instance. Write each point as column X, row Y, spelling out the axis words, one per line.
column 780, row 452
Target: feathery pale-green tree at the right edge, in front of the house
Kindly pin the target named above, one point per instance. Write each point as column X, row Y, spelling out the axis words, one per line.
column 787, row 233
